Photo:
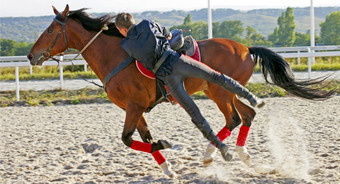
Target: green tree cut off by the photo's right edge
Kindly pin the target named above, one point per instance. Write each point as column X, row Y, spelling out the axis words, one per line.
column 330, row 29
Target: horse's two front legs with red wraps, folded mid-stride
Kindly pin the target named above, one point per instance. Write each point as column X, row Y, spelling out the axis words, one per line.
column 134, row 117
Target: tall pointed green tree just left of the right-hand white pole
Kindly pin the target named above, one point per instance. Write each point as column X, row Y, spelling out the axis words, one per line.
column 284, row 35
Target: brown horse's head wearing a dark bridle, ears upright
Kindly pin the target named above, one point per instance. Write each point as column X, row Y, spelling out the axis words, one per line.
column 52, row 41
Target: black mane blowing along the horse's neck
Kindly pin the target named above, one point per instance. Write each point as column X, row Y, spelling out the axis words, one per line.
column 95, row 24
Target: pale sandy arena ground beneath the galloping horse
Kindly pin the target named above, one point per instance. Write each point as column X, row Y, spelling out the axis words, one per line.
column 291, row 141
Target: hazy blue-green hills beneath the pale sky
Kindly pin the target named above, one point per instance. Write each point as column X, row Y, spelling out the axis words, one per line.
column 28, row 29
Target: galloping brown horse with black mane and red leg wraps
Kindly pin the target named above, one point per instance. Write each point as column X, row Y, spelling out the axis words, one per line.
column 134, row 93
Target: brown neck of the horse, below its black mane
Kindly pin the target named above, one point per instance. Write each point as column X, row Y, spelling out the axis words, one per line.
column 102, row 55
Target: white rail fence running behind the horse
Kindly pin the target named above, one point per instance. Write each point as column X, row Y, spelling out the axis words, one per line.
column 286, row 52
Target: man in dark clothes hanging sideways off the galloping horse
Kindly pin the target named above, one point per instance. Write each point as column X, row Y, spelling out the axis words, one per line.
column 148, row 43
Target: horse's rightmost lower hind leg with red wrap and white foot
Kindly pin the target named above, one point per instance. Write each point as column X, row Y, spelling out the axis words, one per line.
column 247, row 114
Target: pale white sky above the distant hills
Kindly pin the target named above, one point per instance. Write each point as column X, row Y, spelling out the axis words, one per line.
column 26, row 8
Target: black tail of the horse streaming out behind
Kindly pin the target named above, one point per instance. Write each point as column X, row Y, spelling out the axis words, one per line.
column 282, row 76
